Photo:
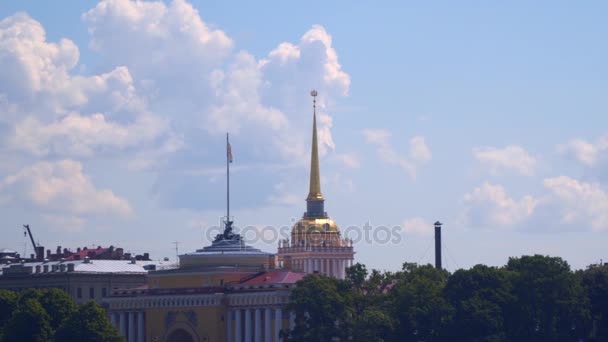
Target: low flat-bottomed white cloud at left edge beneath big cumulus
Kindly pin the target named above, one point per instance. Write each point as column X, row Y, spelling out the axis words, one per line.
column 61, row 187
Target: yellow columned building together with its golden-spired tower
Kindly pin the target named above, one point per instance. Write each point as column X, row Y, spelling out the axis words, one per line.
column 230, row 291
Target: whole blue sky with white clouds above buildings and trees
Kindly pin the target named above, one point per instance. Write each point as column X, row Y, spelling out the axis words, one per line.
column 488, row 116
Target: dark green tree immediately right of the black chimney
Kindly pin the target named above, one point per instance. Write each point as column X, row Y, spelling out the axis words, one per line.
column 480, row 298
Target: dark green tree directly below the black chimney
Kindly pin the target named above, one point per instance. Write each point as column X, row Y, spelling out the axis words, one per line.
column 417, row 303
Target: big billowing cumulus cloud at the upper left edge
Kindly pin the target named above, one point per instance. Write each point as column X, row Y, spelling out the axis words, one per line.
column 52, row 112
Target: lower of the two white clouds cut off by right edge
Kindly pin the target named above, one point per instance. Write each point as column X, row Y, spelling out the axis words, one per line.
column 580, row 203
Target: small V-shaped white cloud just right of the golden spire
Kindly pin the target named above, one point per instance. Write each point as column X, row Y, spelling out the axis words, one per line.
column 419, row 152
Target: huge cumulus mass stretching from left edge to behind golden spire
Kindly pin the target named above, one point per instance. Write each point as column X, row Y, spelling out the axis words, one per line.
column 172, row 85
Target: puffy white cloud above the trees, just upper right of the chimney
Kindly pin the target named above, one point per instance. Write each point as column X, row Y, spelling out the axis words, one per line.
column 489, row 206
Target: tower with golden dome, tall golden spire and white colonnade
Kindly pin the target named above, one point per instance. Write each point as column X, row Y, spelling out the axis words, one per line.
column 316, row 245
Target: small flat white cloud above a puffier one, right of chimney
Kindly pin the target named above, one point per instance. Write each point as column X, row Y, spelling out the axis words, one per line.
column 512, row 157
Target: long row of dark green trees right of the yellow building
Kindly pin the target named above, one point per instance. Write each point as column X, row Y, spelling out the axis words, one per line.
column 531, row 298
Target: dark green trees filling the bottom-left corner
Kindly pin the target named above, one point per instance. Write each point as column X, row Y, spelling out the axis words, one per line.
column 52, row 315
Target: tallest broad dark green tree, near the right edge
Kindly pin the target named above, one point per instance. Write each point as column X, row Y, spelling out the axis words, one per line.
column 550, row 303
